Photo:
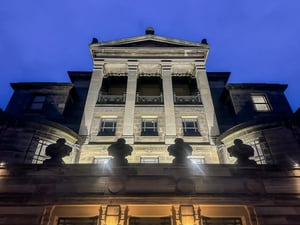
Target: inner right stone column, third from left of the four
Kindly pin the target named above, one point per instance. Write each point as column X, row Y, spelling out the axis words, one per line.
column 168, row 105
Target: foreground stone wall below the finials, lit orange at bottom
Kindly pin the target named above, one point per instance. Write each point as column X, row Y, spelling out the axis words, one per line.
column 34, row 194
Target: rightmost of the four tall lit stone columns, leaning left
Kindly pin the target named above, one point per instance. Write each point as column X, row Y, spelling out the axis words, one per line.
column 203, row 86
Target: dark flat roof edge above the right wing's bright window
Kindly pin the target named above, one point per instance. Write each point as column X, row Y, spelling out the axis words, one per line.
column 257, row 86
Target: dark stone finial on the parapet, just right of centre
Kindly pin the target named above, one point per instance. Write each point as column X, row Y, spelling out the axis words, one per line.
column 180, row 151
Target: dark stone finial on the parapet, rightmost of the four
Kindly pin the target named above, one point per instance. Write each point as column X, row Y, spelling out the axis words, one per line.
column 242, row 152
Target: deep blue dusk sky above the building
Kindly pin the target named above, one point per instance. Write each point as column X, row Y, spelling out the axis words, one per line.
column 258, row 41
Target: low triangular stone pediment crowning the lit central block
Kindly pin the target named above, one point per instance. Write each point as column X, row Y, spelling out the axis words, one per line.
column 149, row 41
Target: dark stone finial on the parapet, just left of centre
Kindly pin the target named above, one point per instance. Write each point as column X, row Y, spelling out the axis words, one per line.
column 119, row 150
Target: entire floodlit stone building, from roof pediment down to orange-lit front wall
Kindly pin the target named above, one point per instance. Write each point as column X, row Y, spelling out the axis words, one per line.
column 149, row 90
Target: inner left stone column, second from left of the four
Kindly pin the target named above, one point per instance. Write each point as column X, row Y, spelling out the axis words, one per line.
column 128, row 123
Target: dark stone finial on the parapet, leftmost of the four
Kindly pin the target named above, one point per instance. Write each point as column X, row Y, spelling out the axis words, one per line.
column 57, row 151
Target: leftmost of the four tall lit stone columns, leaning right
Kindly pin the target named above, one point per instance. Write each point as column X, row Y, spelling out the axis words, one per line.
column 92, row 97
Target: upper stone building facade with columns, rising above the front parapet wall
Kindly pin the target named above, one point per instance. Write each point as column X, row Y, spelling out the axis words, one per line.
column 150, row 90
